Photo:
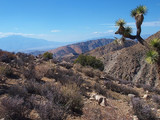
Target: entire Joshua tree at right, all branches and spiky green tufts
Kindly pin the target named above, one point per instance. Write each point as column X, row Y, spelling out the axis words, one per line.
column 153, row 54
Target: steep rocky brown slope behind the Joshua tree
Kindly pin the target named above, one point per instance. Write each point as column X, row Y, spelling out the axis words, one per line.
column 129, row 63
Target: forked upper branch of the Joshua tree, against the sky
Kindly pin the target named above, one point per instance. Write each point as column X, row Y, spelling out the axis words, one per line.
column 138, row 13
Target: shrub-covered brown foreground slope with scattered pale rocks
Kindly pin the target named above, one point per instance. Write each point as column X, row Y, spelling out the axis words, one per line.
column 32, row 88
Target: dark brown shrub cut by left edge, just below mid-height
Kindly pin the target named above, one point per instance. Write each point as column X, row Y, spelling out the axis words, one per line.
column 6, row 71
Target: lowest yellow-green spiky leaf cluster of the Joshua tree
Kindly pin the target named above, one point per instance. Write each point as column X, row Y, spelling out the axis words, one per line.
column 152, row 57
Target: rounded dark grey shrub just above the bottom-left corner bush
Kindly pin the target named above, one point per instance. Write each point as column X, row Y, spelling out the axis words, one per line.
column 17, row 90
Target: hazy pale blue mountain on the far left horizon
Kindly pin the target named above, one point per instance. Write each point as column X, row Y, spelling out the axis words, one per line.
column 18, row 43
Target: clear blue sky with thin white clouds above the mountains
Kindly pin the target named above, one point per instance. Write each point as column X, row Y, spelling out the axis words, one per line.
column 72, row 20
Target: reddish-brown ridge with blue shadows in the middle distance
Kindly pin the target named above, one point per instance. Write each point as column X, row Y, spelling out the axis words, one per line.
column 78, row 48
